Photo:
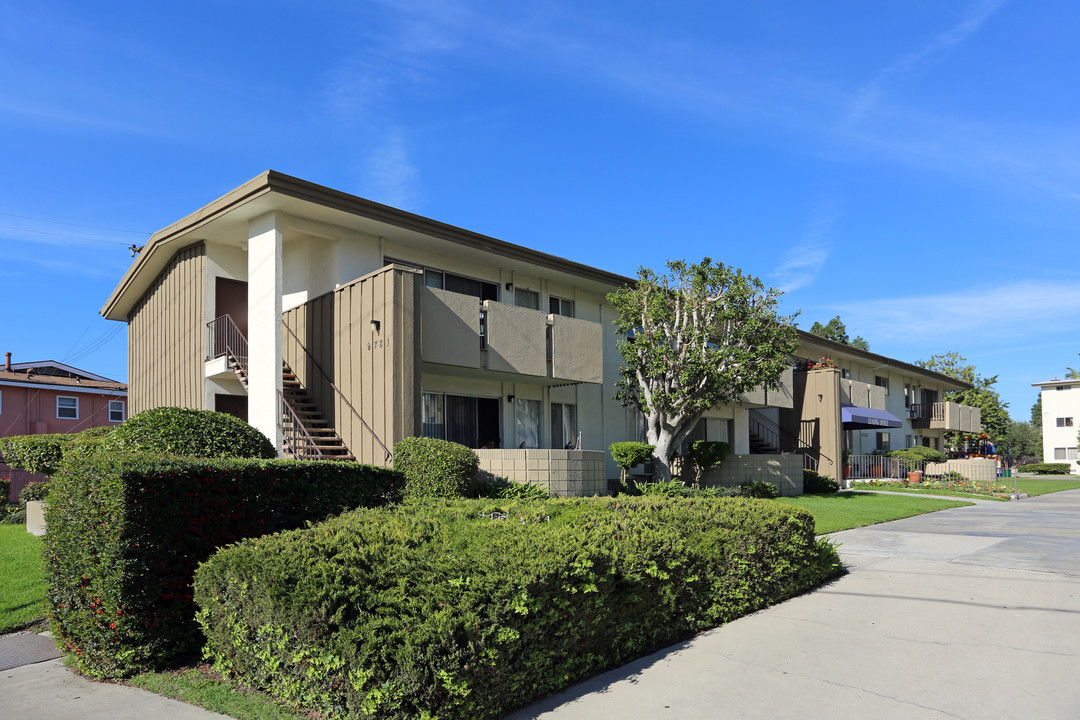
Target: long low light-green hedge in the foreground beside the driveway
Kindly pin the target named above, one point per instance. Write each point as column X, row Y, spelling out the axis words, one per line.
column 471, row 608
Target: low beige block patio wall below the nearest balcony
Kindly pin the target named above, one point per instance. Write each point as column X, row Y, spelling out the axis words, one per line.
column 566, row 473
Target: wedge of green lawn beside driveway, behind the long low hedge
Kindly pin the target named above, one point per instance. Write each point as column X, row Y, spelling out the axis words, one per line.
column 843, row 511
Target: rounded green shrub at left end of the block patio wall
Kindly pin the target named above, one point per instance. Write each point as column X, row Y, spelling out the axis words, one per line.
column 436, row 469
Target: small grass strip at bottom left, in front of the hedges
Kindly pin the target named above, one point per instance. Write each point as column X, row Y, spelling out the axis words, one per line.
column 202, row 687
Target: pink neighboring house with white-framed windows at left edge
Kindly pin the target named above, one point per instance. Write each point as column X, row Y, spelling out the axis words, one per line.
column 38, row 399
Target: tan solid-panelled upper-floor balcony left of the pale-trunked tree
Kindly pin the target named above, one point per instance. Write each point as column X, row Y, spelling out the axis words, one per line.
column 460, row 331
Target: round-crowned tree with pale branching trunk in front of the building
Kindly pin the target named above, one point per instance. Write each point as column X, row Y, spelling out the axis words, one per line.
column 700, row 336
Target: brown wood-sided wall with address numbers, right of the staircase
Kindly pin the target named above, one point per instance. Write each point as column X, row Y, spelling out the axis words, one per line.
column 377, row 373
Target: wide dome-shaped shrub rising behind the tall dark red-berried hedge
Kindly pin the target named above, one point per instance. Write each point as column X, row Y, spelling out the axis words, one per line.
column 191, row 433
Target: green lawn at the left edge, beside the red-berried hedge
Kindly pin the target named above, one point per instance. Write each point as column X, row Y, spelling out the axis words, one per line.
column 22, row 579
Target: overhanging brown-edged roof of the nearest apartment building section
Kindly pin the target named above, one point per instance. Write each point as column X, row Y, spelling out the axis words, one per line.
column 272, row 192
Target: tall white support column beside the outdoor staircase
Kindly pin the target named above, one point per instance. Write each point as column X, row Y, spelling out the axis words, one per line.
column 264, row 325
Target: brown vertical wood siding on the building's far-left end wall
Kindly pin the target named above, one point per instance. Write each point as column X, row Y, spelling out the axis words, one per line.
column 166, row 336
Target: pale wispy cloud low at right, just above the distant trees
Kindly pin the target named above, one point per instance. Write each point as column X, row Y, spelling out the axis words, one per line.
column 975, row 316
